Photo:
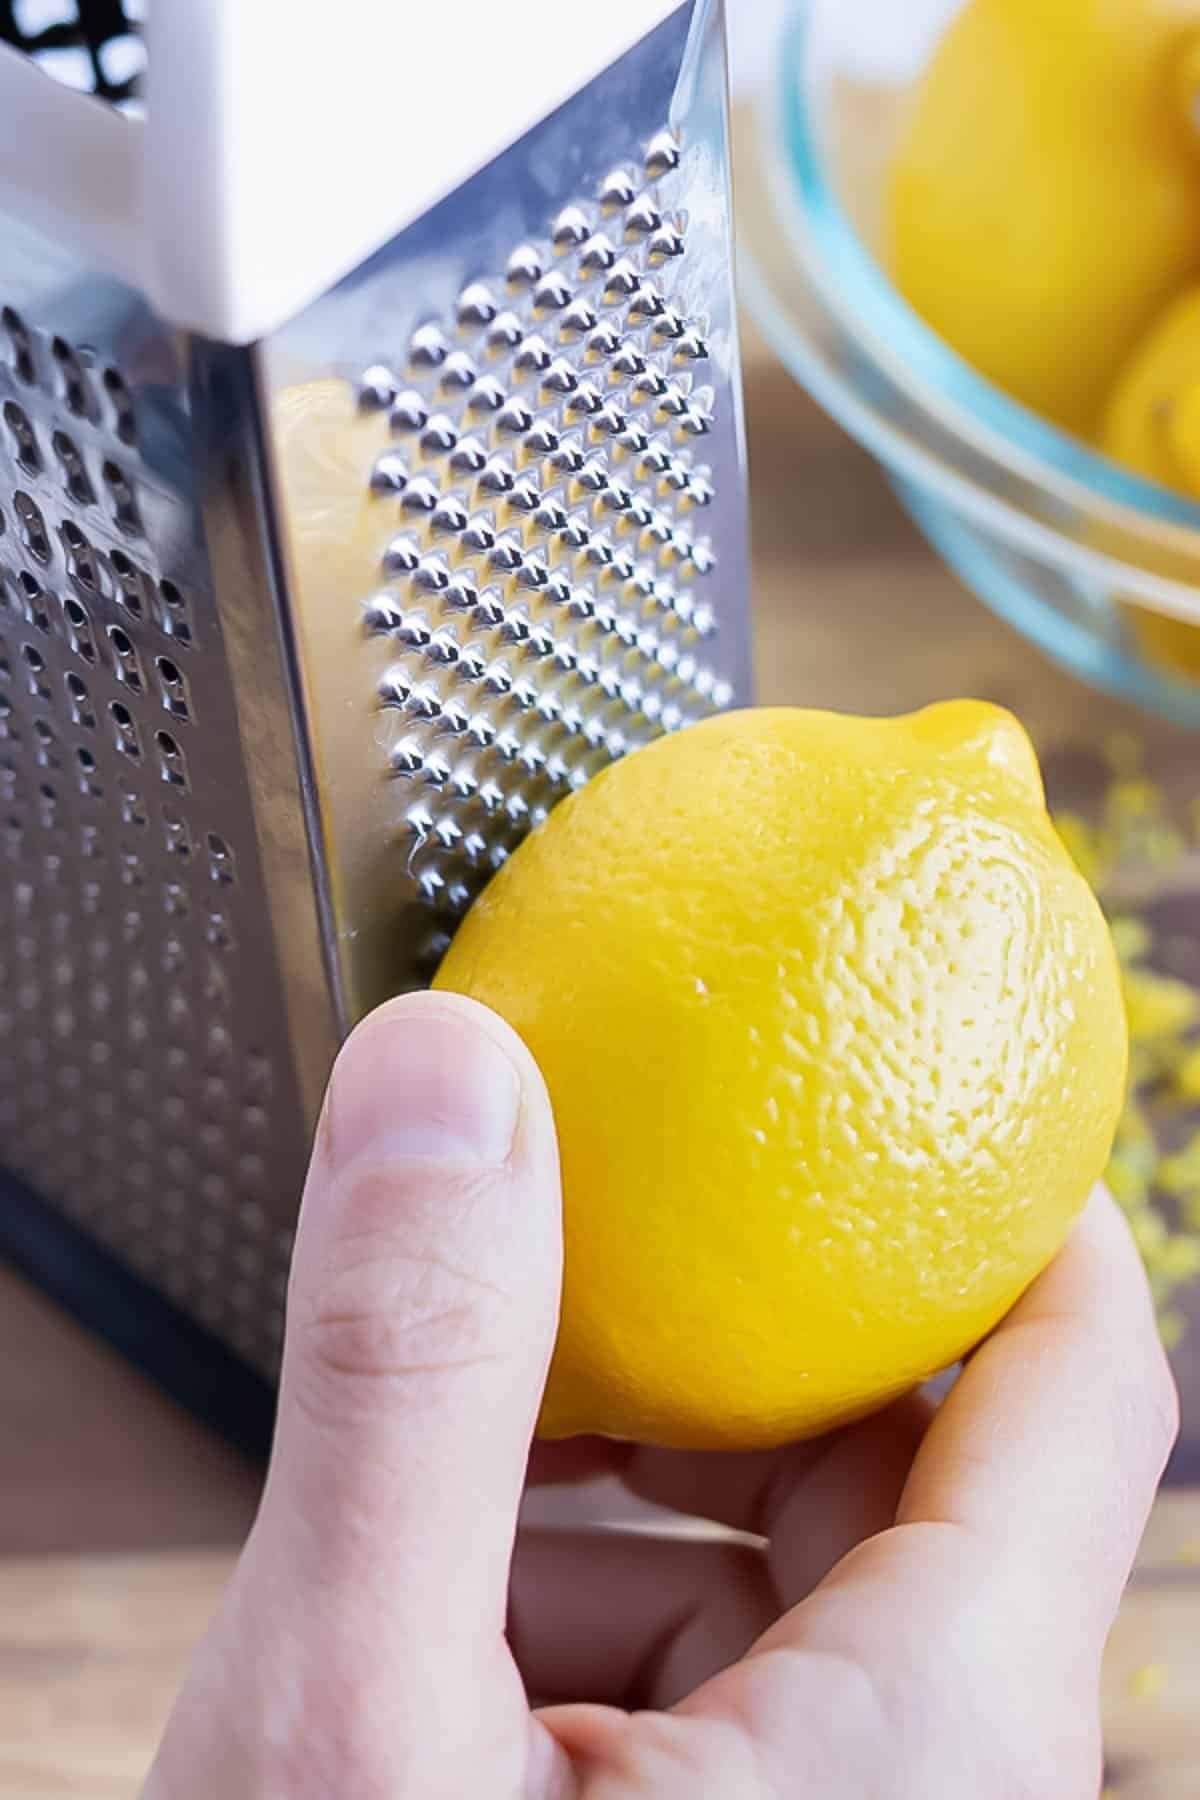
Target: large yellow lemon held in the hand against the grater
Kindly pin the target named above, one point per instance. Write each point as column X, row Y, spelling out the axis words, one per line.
column 834, row 1034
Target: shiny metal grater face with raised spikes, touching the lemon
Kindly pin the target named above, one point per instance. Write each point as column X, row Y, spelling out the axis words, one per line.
column 541, row 546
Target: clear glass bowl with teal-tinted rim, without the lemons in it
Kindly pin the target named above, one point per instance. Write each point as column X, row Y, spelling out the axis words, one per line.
column 1088, row 561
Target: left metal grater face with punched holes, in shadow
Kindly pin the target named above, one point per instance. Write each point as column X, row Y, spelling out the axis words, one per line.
column 136, row 1088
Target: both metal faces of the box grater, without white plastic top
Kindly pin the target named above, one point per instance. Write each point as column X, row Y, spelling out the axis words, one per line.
column 298, row 640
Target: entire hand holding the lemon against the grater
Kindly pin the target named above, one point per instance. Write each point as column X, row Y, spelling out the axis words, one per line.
column 920, row 1612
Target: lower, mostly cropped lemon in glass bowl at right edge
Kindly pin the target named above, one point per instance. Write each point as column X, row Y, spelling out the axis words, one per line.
column 1152, row 426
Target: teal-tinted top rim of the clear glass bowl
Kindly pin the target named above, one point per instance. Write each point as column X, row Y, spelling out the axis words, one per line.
column 864, row 291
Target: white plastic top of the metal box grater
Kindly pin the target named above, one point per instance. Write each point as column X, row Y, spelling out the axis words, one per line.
column 276, row 152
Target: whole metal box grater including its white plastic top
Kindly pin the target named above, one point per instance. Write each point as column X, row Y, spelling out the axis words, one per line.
column 372, row 474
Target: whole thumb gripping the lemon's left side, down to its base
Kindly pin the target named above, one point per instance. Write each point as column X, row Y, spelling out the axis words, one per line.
column 422, row 1315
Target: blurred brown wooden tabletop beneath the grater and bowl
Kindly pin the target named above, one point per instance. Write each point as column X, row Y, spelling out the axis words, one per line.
column 120, row 1516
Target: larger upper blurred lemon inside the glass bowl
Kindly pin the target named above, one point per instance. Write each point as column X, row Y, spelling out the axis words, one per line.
column 1044, row 190
